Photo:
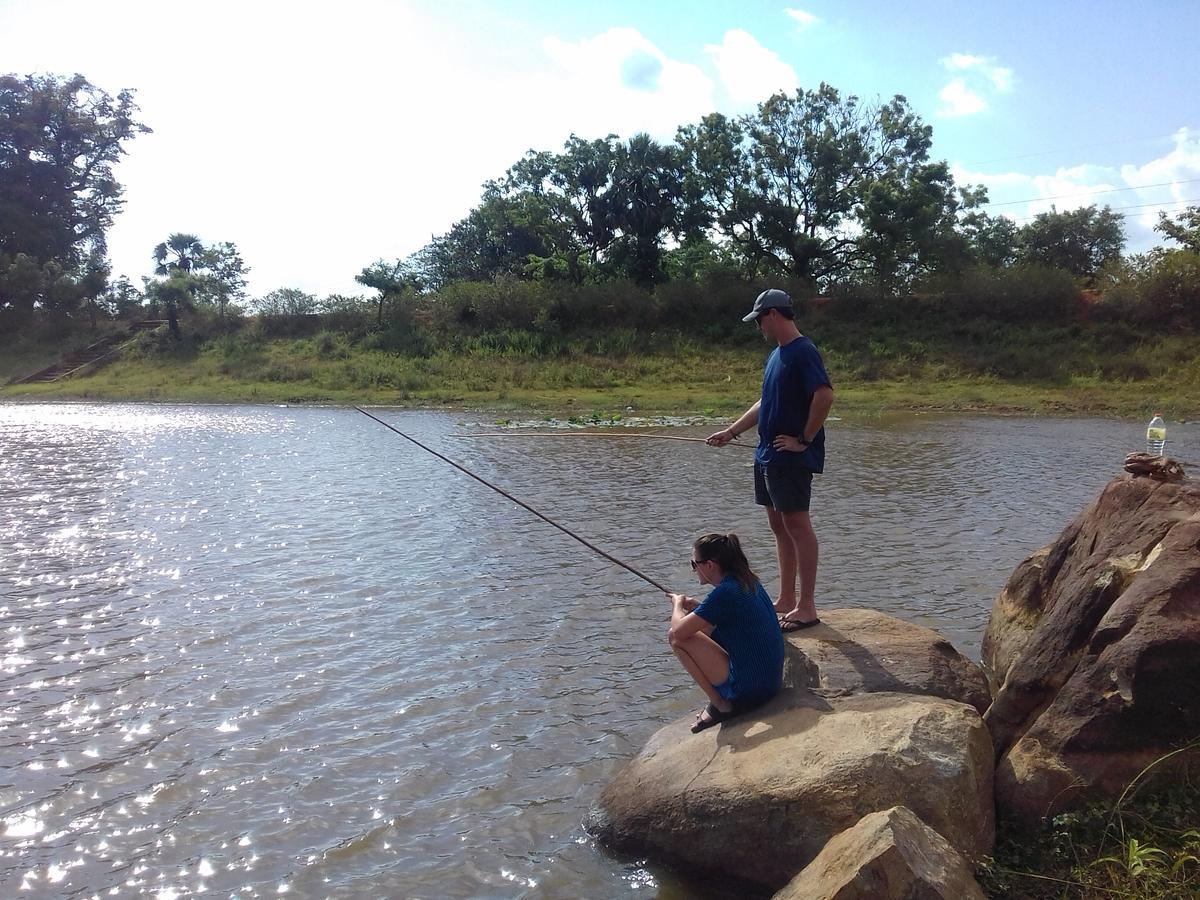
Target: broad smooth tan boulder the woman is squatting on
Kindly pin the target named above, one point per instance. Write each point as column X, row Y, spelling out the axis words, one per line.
column 758, row 797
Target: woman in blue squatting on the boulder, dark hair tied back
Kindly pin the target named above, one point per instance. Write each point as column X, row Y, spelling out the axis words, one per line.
column 730, row 643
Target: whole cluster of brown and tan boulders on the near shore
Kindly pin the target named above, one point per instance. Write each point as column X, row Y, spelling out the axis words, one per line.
column 879, row 770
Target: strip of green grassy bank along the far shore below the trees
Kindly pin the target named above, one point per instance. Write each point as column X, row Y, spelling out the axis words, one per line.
column 682, row 376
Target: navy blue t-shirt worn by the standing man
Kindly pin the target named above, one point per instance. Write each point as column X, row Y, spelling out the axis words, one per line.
column 793, row 376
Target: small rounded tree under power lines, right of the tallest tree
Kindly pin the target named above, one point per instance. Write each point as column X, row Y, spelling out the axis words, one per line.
column 1081, row 242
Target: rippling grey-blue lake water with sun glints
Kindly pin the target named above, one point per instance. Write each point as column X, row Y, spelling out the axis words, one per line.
column 255, row 651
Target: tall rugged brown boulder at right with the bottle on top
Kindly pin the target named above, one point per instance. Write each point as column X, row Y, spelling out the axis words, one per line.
column 1095, row 651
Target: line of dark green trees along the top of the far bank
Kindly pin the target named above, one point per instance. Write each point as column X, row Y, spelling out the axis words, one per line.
column 819, row 190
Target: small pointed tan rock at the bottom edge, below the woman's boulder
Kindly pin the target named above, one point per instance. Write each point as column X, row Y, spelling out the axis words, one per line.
column 890, row 855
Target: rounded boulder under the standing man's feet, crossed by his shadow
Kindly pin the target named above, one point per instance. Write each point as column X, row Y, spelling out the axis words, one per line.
column 863, row 651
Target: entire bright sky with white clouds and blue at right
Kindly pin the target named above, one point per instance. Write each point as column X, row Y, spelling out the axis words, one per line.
column 320, row 137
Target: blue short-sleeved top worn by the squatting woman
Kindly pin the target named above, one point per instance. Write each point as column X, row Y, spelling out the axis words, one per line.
column 746, row 626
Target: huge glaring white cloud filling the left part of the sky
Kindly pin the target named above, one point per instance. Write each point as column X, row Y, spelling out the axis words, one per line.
column 331, row 137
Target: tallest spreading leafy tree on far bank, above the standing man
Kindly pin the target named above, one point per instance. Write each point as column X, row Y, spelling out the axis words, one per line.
column 795, row 187
